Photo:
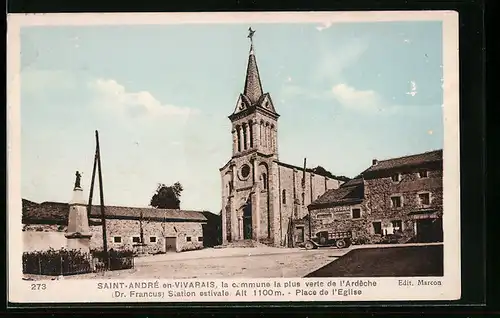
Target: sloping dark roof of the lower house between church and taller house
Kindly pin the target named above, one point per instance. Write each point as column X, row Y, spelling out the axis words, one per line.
column 350, row 192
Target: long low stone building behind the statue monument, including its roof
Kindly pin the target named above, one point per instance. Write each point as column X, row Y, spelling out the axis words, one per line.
column 143, row 230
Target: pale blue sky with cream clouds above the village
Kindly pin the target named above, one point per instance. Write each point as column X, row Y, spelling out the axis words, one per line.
column 159, row 95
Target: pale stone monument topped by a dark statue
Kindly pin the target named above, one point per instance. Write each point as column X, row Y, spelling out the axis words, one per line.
column 78, row 232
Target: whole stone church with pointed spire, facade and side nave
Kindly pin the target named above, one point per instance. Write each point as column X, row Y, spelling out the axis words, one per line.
column 261, row 195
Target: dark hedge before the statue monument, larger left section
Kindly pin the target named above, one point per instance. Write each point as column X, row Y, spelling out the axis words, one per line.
column 56, row 262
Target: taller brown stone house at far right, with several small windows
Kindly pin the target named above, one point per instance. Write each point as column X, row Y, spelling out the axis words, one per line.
column 406, row 195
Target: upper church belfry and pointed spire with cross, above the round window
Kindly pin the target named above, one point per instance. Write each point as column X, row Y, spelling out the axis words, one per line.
column 254, row 120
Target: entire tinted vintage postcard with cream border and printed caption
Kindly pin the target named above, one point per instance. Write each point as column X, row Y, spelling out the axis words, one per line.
column 233, row 157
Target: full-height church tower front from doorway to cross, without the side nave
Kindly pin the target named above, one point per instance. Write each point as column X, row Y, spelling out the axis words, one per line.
column 248, row 180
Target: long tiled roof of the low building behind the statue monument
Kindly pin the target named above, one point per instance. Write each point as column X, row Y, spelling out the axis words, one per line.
column 57, row 212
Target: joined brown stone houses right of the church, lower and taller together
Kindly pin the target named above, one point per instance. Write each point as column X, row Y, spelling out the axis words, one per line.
column 400, row 196
